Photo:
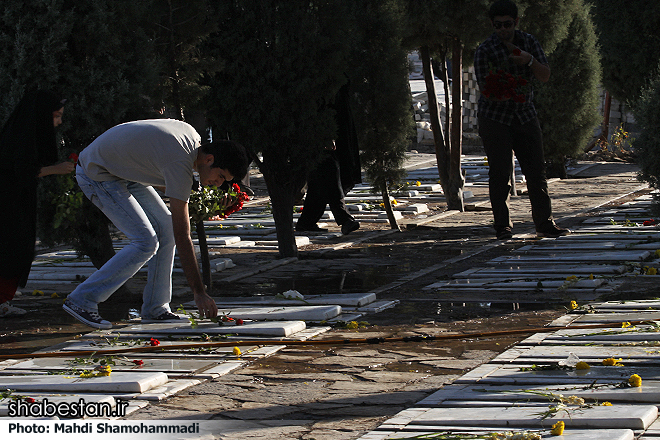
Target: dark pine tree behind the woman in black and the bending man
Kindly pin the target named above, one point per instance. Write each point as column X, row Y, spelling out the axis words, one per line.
column 96, row 55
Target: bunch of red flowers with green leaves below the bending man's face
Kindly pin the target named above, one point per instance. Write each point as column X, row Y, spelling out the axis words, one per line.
column 211, row 203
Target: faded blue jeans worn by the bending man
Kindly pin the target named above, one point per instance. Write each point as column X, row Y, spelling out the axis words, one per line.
column 140, row 213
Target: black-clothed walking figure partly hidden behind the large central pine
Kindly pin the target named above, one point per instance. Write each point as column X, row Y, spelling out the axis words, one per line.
column 336, row 174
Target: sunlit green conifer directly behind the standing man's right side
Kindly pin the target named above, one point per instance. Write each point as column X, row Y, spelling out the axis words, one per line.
column 568, row 103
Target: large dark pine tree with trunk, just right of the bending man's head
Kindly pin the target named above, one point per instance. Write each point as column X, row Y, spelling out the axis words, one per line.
column 283, row 64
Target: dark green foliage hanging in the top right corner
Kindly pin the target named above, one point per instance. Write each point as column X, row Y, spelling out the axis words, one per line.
column 629, row 36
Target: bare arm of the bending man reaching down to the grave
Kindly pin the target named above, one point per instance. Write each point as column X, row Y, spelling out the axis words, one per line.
column 186, row 250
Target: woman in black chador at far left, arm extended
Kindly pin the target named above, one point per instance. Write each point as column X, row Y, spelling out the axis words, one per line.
column 28, row 150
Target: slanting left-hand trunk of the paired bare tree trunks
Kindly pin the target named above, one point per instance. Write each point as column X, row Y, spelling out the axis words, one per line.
column 441, row 150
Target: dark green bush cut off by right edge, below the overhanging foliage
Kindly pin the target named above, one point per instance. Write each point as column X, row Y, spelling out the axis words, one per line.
column 647, row 115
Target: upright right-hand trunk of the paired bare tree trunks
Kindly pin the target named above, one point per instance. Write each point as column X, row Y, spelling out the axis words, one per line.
column 456, row 182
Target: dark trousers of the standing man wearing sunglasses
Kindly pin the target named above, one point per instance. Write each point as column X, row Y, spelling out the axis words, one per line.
column 526, row 141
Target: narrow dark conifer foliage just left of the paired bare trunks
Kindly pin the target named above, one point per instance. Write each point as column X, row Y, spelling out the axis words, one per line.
column 383, row 115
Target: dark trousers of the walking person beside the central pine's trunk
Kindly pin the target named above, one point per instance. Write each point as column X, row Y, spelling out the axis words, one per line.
column 324, row 188
